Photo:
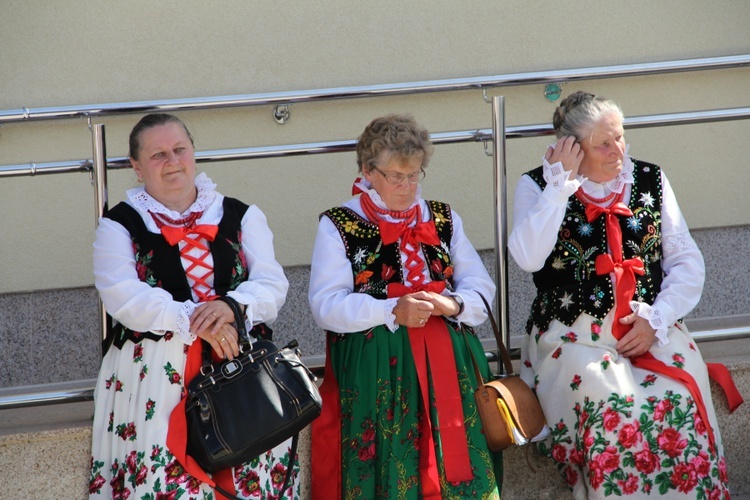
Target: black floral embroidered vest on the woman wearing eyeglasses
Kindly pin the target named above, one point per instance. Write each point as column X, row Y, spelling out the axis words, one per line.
column 375, row 265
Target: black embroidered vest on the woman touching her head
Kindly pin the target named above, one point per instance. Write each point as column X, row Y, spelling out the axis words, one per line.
column 568, row 285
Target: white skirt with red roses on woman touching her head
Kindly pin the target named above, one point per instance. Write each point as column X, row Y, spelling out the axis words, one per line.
column 618, row 429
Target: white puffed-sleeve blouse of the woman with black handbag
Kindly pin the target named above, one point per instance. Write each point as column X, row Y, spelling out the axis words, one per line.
column 141, row 307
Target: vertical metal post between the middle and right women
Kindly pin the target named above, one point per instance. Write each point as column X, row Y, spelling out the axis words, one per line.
column 501, row 219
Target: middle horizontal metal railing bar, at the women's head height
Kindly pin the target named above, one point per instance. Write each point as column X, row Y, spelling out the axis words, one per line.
column 479, row 135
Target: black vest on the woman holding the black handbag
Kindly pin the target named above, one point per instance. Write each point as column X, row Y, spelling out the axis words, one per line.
column 158, row 262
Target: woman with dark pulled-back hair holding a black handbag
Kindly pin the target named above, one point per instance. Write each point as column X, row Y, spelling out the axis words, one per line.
column 160, row 258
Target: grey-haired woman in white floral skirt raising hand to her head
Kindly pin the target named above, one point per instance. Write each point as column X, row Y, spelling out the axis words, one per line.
column 622, row 384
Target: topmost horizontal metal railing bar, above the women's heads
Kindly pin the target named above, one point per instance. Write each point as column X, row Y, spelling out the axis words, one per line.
column 290, row 97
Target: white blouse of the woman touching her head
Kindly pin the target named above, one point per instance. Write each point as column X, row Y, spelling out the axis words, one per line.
column 538, row 214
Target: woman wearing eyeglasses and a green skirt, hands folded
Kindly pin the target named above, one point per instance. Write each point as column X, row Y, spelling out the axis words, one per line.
column 395, row 283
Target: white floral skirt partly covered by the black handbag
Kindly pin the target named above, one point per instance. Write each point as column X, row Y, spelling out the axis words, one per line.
column 137, row 388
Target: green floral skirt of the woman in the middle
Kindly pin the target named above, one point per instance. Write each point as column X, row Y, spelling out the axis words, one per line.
column 381, row 410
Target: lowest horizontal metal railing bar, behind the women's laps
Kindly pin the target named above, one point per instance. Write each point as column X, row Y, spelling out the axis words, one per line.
column 86, row 391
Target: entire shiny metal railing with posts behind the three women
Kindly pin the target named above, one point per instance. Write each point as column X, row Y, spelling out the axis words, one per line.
column 100, row 163
